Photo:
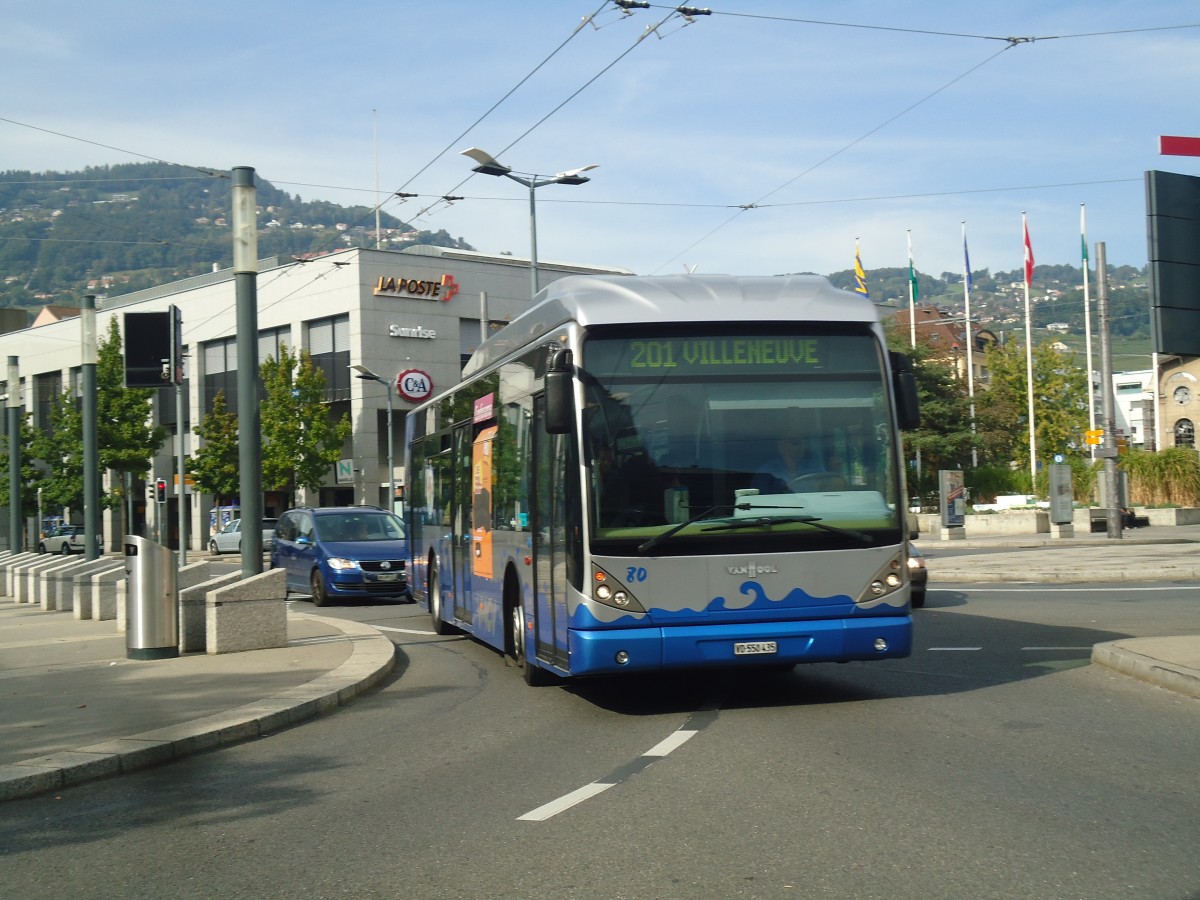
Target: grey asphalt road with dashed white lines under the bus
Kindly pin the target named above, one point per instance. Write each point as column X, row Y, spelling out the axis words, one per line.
column 995, row 763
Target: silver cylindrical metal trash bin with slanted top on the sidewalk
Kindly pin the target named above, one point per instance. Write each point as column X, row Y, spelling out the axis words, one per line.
column 152, row 605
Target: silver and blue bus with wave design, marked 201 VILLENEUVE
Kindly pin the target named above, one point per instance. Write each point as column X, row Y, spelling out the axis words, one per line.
column 641, row 475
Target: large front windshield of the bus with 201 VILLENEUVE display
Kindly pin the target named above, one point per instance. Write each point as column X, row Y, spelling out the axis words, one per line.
column 729, row 441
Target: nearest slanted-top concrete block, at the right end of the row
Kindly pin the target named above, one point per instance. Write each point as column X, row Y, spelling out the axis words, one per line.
column 249, row 616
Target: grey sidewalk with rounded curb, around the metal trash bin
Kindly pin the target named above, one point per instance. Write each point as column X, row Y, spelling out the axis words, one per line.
column 76, row 710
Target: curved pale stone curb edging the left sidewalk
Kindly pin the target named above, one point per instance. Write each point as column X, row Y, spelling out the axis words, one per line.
column 373, row 658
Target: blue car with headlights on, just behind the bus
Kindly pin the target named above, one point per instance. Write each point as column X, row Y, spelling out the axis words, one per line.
column 333, row 553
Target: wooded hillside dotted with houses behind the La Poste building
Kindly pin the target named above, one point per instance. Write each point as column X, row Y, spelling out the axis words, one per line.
column 113, row 230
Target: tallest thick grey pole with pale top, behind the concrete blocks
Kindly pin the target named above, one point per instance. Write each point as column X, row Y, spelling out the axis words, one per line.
column 250, row 434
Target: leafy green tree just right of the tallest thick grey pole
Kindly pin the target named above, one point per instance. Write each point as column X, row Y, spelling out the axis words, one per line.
column 301, row 443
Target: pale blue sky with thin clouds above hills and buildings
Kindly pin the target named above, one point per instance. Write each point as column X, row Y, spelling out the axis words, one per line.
column 769, row 137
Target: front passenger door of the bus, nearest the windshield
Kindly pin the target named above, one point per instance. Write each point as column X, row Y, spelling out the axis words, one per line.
column 550, row 527
